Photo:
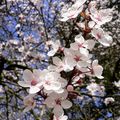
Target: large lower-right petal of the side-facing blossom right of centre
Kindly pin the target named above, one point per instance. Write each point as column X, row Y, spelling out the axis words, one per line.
column 98, row 71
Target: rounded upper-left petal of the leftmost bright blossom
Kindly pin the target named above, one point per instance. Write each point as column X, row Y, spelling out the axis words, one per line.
column 28, row 75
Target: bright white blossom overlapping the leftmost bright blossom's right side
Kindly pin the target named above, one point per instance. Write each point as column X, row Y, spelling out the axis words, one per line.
column 52, row 81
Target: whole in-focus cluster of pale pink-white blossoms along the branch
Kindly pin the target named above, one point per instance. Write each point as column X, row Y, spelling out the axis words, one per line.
column 51, row 83
